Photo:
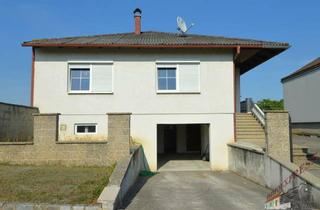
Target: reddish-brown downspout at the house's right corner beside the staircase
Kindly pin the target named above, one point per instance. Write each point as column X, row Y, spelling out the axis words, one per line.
column 235, row 57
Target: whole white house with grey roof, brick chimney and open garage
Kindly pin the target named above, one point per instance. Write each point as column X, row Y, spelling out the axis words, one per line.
column 183, row 90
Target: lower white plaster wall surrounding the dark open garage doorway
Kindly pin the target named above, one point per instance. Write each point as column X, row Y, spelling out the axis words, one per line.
column 144, row 131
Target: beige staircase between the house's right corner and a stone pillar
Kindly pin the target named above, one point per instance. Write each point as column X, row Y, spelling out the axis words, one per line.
column 249, row 130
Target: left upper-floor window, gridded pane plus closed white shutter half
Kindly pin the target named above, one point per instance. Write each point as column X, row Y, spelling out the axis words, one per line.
column 90, row 78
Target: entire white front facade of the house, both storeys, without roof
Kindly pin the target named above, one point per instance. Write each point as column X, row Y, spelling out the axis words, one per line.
column 134, row 89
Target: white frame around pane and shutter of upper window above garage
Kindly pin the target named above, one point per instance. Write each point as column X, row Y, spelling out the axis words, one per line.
column 176, row 64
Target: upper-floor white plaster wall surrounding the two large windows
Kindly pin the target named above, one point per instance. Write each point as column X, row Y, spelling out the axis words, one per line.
column 134, row 83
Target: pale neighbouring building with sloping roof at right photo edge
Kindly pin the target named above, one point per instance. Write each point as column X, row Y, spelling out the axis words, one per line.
column 301, row 91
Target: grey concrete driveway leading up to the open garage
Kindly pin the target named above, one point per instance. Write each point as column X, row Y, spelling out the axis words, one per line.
column 197, row 190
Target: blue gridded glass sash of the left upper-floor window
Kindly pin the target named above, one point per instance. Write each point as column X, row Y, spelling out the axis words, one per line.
column 80, row 79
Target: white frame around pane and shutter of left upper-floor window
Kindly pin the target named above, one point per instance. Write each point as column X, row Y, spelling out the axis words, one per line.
column 86, row 65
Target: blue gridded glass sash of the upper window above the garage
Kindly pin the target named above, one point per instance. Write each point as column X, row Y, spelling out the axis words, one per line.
column 167, row 79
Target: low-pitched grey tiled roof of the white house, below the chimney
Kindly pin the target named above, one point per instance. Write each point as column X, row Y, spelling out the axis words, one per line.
column 151, row 38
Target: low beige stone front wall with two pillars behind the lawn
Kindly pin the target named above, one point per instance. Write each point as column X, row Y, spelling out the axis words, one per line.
column 45, row 149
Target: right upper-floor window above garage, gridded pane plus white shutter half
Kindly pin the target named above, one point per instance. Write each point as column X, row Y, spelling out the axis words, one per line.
column 178, row 78
